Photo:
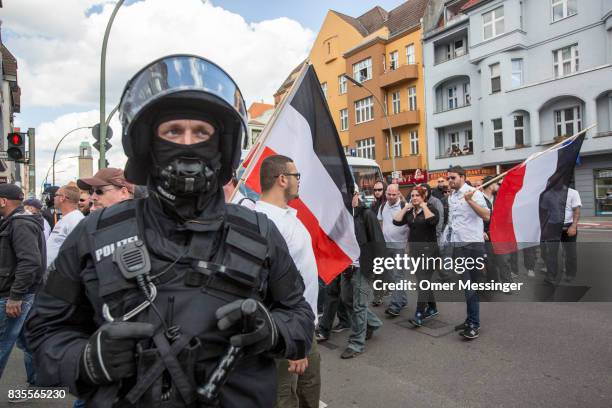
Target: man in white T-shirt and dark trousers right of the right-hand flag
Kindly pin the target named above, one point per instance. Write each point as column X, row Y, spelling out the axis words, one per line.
column 568, row 238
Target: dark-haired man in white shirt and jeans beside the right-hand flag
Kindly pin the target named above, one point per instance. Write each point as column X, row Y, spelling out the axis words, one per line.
column 465, row 230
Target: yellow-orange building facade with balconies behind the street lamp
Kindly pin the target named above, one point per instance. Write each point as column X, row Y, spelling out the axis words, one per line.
column 390, row 45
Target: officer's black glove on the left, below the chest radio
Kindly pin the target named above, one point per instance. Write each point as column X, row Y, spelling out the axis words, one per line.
column 109, row 354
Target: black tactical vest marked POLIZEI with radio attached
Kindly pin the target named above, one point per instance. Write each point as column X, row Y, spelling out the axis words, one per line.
column 189, row 291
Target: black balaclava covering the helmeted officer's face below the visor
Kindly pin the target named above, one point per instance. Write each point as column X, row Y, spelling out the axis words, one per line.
column 186, row 177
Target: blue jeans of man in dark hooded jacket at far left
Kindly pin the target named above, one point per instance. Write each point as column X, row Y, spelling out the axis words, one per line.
column 11, row 332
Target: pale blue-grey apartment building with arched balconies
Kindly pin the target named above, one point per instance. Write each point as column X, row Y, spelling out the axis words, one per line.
column 509, row 78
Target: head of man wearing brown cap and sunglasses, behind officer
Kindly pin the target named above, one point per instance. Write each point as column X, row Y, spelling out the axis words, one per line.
column 107, row 187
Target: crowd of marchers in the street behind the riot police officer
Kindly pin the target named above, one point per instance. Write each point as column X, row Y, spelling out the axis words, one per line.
column 423, row 224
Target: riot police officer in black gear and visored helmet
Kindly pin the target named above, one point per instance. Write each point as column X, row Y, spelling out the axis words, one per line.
column 145, row 297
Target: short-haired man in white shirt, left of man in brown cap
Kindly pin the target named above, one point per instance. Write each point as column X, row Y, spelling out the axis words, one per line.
column 66, row 201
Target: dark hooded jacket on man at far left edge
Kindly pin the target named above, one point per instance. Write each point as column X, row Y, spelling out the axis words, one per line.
column 22, row 254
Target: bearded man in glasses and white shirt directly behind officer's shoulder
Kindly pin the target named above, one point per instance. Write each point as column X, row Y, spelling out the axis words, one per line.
column 299, row 381
